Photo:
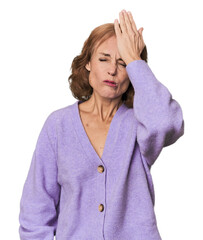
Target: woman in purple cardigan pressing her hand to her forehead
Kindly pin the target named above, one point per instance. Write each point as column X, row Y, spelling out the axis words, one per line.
column 90, row 173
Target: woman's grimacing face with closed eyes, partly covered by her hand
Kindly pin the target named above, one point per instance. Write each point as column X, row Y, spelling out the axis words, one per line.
column 106, row 64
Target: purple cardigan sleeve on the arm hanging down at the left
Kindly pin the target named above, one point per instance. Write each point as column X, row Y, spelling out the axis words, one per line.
column 40, row 197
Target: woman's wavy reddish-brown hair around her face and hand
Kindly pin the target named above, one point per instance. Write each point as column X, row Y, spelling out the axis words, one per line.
column 79, row 78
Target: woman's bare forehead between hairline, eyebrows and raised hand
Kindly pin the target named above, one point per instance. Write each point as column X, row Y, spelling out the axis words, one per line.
column 109, row 46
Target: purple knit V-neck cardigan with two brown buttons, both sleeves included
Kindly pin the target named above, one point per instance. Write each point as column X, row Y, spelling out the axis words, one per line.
column 74, row 194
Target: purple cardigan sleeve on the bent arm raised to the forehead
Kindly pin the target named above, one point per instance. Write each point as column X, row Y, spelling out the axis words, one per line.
column 159, row 117
